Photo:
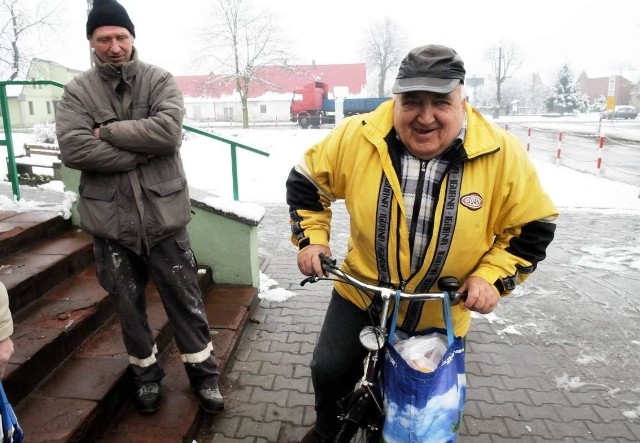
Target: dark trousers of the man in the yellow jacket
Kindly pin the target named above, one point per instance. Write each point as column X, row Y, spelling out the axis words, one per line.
column 337, row 362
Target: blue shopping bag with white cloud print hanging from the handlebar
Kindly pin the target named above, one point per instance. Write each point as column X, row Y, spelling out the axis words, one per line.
column 424, row 407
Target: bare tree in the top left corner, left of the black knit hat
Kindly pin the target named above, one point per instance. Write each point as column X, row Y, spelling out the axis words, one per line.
column 17, row 22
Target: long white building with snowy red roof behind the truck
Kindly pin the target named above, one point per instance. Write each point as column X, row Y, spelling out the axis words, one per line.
column 214, row 98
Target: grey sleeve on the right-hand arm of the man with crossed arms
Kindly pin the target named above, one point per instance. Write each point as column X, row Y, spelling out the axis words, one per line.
column 159, row 133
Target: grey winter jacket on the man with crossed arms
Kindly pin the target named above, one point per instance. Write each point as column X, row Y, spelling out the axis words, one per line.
column 133, row 187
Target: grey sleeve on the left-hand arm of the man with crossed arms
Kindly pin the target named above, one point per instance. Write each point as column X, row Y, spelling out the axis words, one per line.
column 79, row 148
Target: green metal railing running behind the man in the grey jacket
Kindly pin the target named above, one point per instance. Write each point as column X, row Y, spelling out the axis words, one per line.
column 8, row 142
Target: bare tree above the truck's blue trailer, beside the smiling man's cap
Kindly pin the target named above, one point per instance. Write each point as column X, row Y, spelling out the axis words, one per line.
column 385, row 47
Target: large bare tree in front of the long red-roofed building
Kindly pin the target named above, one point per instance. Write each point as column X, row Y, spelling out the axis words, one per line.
column 242, row 38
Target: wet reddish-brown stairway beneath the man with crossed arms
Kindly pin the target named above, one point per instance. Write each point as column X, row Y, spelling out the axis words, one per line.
column 68, row 378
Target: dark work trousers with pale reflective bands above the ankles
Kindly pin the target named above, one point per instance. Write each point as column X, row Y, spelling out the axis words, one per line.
column 172, row 266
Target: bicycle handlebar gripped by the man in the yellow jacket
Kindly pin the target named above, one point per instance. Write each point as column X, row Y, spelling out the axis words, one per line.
column 447, row 285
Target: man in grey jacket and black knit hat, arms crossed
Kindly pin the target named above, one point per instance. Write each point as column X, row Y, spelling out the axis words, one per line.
column 120, row 123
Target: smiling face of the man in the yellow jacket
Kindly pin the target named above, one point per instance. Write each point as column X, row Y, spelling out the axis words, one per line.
column 428, row 122
